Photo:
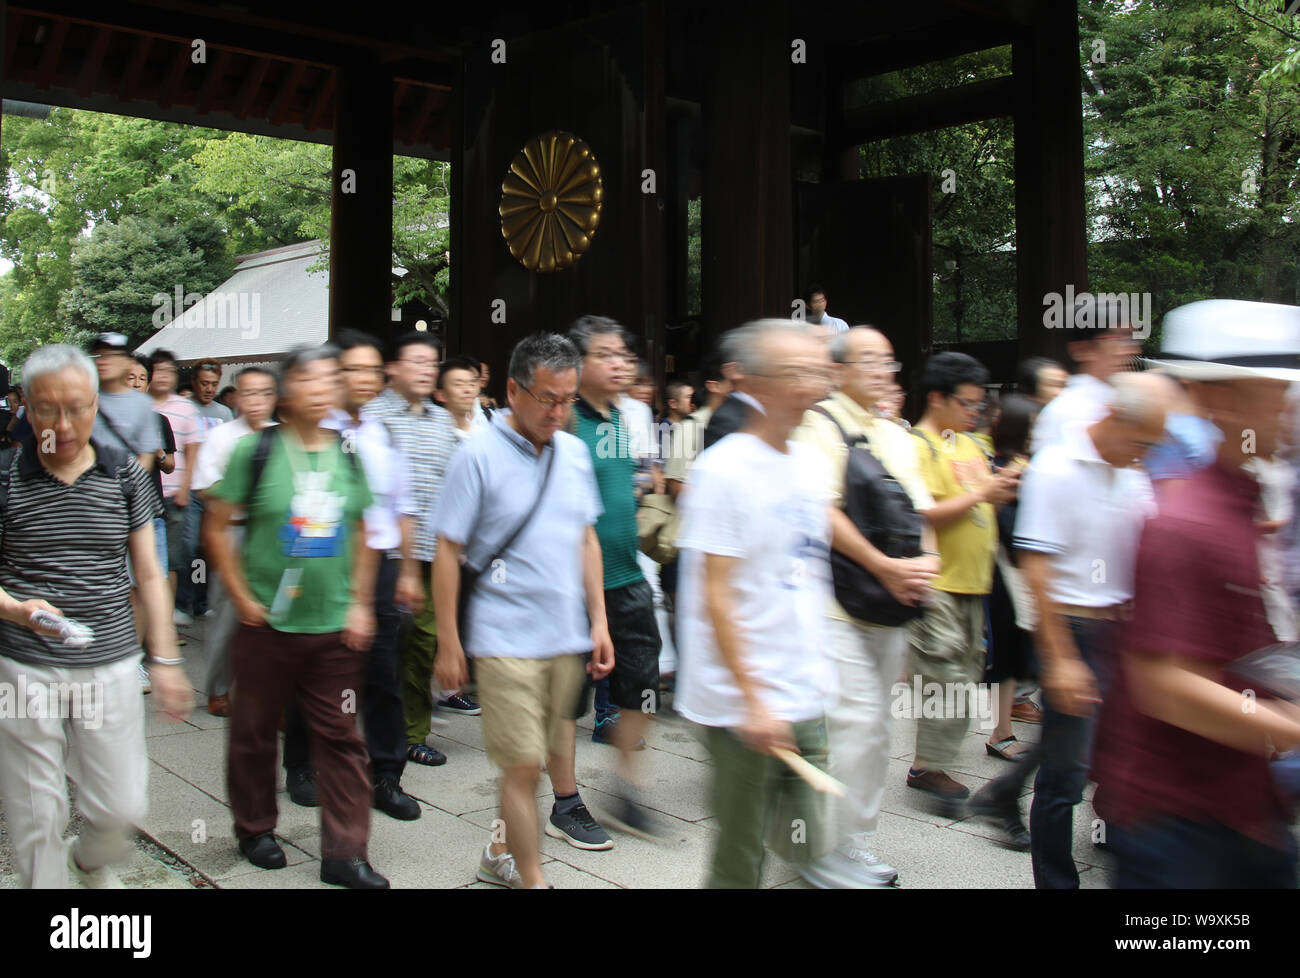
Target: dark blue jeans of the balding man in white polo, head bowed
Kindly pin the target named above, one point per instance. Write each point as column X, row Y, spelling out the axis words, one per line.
column 1064, row 755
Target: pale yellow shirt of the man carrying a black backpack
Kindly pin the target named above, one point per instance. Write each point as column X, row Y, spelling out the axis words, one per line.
column 887, row 442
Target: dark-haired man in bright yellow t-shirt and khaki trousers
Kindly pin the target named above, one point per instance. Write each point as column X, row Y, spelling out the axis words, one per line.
column 948, row 642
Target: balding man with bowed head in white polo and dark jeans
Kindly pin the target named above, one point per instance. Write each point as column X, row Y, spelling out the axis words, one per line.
column 1084, row 505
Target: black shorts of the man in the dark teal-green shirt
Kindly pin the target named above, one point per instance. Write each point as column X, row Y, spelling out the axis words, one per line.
column 635, row 681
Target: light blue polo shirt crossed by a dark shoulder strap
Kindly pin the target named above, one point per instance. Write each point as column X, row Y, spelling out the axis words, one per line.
column 534, row 603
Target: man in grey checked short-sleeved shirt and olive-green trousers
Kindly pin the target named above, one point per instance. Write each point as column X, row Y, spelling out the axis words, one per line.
column 426, row 435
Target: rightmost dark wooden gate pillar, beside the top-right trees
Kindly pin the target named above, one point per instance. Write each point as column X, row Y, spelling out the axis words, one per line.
column 1051, row 230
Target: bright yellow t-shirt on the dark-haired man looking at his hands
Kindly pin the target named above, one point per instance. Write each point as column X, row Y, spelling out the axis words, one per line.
column 967, row 547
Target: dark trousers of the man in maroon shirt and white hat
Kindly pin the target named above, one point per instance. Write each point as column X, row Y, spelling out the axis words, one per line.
column 1176, row 854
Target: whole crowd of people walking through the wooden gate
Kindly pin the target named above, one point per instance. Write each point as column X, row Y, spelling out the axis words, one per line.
column 768, row 548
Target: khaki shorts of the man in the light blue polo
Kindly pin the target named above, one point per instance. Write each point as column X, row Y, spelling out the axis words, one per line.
column 525, row 703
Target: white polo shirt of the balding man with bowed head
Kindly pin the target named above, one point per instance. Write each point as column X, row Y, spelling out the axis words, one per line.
column 1087, row 516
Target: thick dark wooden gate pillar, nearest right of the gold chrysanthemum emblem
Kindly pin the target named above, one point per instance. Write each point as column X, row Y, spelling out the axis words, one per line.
column 748, row 227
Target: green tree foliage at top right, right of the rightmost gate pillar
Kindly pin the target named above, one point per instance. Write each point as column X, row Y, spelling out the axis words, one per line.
column 1193, row 152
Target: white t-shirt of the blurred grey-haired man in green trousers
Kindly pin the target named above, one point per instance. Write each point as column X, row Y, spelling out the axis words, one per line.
column 772, row 512
